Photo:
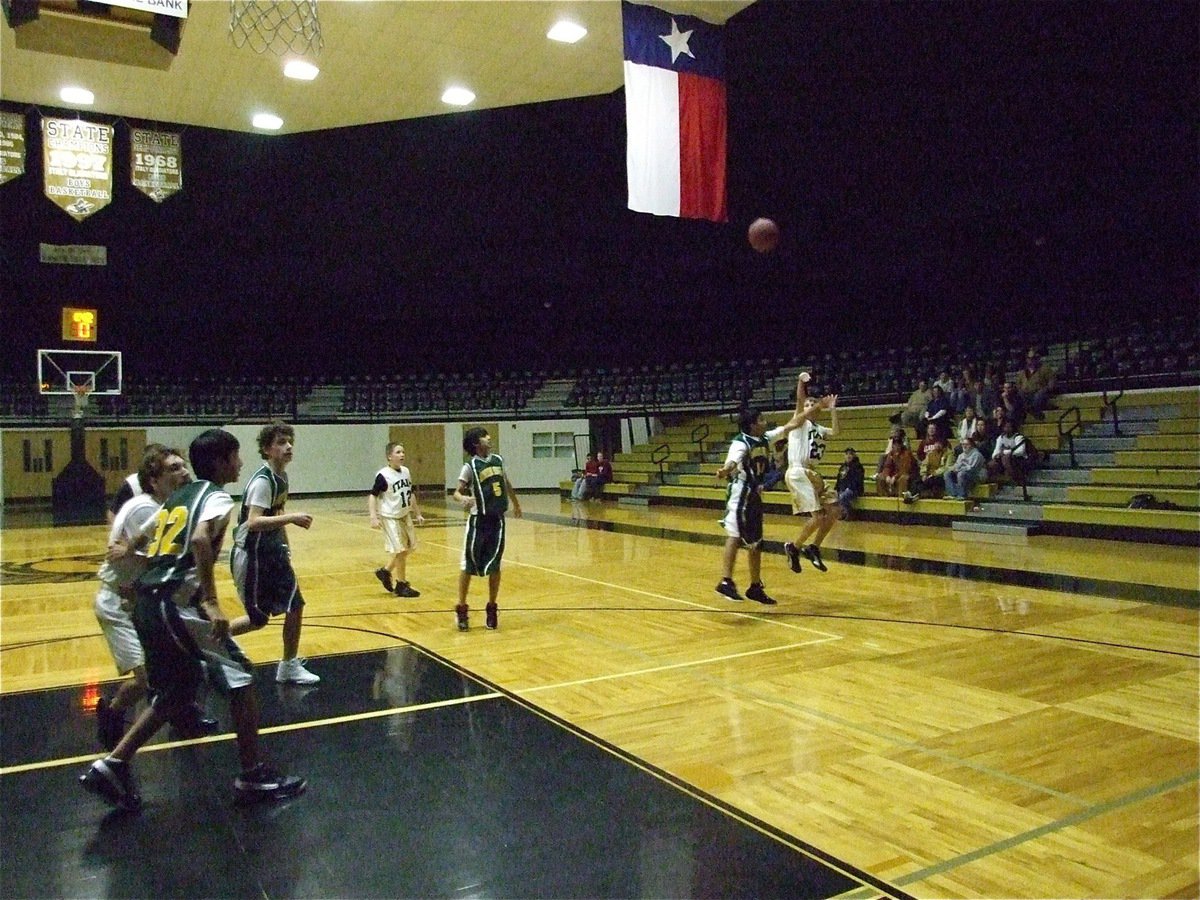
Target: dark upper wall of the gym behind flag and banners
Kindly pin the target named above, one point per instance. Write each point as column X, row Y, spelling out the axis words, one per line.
column 938, row 170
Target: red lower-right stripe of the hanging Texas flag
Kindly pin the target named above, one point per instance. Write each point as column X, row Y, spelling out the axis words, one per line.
column 703, row 148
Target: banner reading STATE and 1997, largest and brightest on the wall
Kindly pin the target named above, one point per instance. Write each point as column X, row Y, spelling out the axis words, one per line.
column 79, row 163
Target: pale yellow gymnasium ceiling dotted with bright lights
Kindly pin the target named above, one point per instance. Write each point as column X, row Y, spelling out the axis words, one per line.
column 382, row 61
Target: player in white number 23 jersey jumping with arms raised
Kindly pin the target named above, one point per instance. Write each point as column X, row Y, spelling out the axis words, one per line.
column 806, row 448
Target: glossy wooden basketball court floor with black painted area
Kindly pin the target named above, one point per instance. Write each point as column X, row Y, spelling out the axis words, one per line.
column 929, row 718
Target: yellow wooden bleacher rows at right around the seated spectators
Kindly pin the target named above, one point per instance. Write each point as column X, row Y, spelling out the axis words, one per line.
column 1161, row 428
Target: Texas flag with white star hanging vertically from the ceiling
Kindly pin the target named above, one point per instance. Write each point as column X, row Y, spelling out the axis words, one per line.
column 675, row 113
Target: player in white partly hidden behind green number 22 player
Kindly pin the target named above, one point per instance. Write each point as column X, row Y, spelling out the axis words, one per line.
column 161, row 472
